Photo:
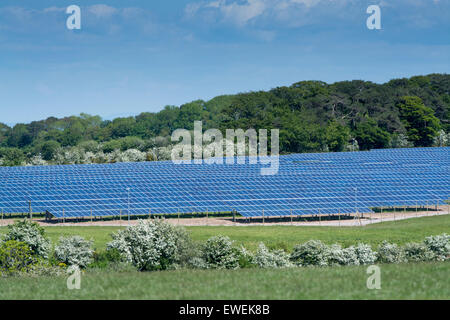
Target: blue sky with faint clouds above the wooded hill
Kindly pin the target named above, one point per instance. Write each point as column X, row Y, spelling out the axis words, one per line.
column 138, row 55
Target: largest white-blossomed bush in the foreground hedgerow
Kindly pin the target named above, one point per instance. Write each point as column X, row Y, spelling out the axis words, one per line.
column 151, row 245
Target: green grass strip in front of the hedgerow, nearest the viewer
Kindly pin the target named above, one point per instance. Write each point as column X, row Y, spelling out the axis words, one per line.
column 404, row 281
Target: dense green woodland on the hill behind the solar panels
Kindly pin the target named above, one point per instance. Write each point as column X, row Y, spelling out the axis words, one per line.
column 312, row 116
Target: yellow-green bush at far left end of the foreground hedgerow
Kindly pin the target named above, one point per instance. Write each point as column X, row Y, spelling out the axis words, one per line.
column 15, row 257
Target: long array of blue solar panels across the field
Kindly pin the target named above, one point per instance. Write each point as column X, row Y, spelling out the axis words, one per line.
column 319, row 183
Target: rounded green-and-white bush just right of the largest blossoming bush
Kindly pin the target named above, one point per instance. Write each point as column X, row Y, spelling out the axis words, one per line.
column 218, row 253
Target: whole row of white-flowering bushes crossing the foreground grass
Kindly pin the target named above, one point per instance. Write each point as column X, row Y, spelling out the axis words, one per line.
column 157, row 245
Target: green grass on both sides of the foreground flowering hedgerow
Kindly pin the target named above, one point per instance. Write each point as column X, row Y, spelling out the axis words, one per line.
column 403, row 281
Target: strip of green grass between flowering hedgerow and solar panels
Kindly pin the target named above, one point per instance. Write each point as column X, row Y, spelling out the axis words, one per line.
column 286, row 237
